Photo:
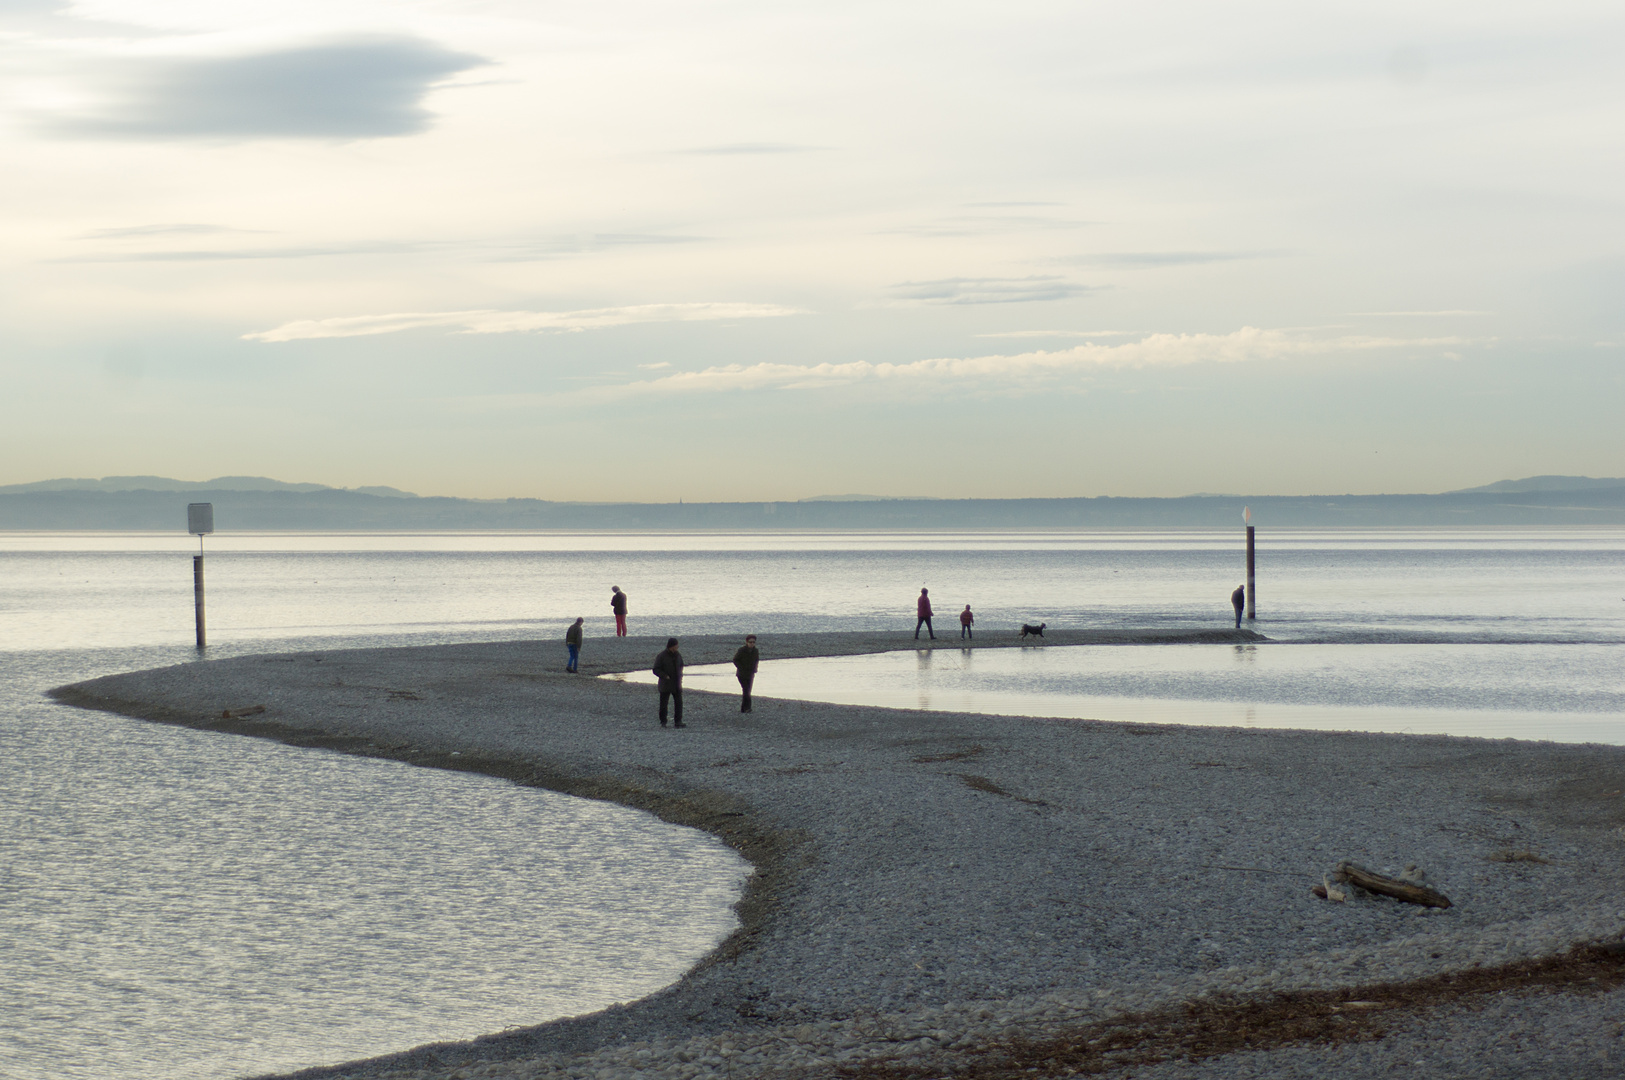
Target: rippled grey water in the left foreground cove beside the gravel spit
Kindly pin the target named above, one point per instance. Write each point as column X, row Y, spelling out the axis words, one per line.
column 181, row 904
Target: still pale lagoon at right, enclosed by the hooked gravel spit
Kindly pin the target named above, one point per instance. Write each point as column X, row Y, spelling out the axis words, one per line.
column 1561, row 693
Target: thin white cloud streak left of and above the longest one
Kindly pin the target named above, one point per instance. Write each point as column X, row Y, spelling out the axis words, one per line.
column 518, row 322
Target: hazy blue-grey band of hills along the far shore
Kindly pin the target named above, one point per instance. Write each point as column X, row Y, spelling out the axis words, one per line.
column 271, row 506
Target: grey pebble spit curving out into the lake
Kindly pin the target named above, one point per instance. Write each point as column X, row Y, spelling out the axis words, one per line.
column 917, row 871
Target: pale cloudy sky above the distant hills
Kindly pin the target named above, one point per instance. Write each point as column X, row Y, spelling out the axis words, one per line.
column 633, row 251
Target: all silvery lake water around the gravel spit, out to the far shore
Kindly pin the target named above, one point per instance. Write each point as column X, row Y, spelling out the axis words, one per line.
column 186, row 904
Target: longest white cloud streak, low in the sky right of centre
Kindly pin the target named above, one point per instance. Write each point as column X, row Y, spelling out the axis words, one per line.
column 1033, row 368
